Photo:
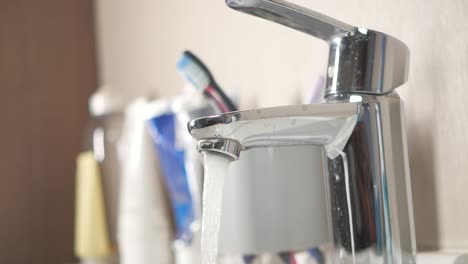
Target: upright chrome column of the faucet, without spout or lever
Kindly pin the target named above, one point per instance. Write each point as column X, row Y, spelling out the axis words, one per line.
column 369, row 187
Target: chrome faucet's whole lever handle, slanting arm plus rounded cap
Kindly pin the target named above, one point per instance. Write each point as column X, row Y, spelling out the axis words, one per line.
column 361, row 61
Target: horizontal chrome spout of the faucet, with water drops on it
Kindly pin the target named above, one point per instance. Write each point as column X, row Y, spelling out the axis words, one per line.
column 328, row 125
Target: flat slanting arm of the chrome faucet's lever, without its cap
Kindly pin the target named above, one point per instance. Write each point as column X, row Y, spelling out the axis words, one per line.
column 294, row 16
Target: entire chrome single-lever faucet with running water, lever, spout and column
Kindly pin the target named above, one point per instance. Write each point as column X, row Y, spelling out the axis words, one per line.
column 360, row 127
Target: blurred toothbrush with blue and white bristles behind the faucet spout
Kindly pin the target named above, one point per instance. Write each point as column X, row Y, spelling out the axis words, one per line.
column 201, row 78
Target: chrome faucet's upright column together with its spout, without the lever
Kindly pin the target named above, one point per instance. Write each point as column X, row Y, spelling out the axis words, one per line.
column 366, row 167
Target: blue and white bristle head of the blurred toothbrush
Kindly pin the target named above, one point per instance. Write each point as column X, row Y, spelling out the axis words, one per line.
column 193, row 72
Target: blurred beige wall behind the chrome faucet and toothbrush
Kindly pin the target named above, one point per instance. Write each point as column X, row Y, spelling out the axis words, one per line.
column 266, row 64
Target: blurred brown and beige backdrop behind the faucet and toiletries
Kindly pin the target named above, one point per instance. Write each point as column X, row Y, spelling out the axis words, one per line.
column 54, row 54
